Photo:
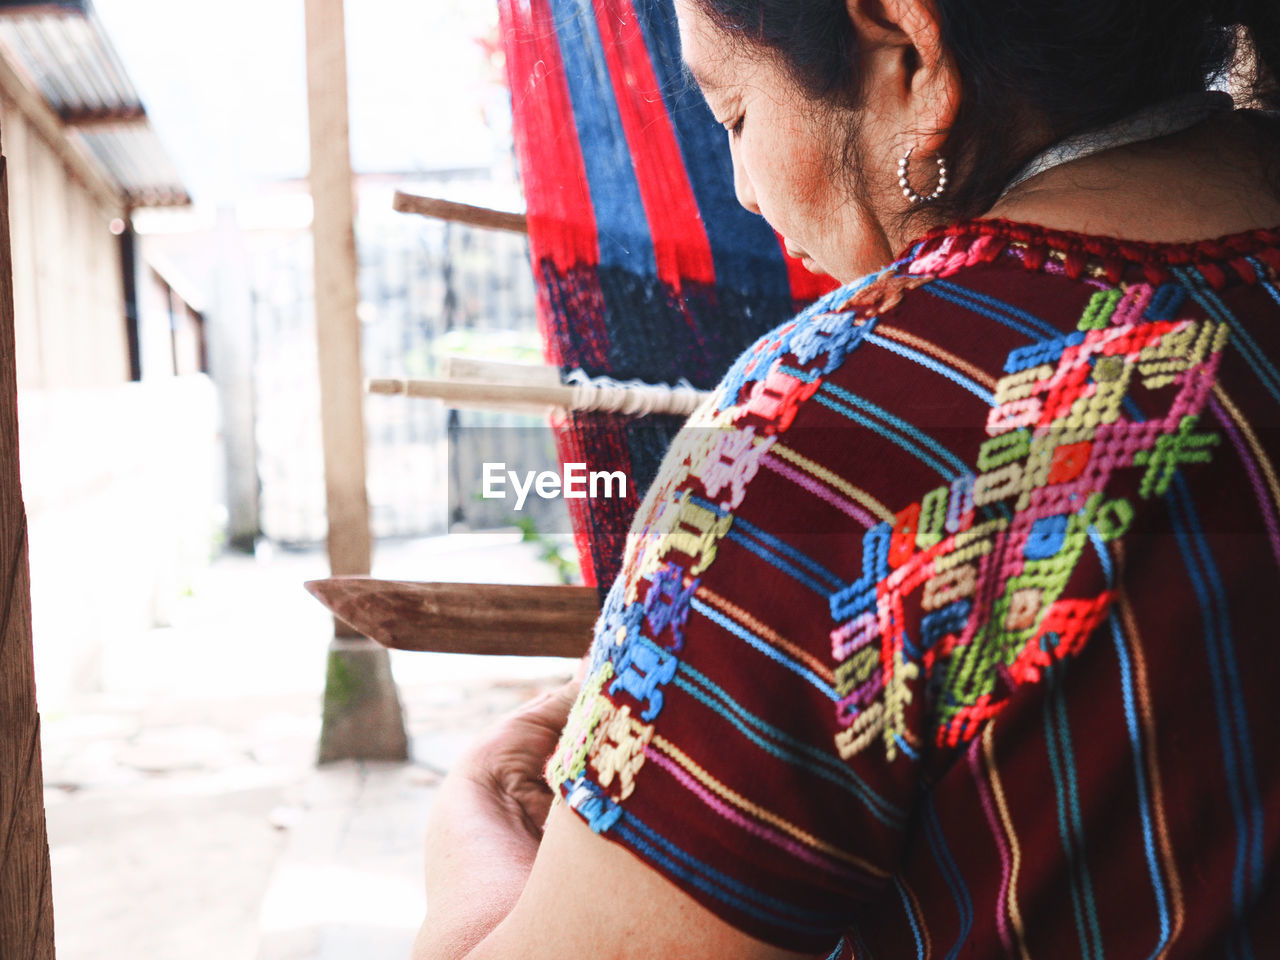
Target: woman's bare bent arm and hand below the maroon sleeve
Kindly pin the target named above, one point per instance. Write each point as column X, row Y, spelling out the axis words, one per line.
column 501, row 888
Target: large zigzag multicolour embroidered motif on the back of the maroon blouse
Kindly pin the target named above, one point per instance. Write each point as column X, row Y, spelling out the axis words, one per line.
column 991, row 588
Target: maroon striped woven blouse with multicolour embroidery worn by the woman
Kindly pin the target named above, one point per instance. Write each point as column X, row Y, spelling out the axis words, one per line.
column 952, row 629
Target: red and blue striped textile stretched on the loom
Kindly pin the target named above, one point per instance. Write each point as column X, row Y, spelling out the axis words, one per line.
column 646, row 264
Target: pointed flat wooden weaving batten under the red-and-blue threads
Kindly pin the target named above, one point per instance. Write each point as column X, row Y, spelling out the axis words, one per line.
column 481, row 619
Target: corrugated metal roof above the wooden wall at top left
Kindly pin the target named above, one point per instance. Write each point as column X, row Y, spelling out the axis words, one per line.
column 63, row 51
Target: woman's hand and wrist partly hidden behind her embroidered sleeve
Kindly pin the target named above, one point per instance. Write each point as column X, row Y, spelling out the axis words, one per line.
column 487, row 825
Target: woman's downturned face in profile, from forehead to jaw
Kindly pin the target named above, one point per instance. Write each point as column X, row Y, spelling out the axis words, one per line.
column 788, row 152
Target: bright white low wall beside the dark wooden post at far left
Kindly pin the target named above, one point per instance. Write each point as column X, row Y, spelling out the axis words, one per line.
column 120, row 491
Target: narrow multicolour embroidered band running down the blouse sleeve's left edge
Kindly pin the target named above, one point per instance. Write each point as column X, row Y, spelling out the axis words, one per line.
column 719, row 456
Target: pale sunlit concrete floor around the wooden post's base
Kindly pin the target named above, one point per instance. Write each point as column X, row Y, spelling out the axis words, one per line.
column 188, row 820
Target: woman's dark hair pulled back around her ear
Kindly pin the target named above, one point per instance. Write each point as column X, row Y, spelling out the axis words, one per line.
column 1072, row 66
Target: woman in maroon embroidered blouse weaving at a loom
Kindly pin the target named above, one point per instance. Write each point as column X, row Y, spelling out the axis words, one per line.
column 947, row 629
